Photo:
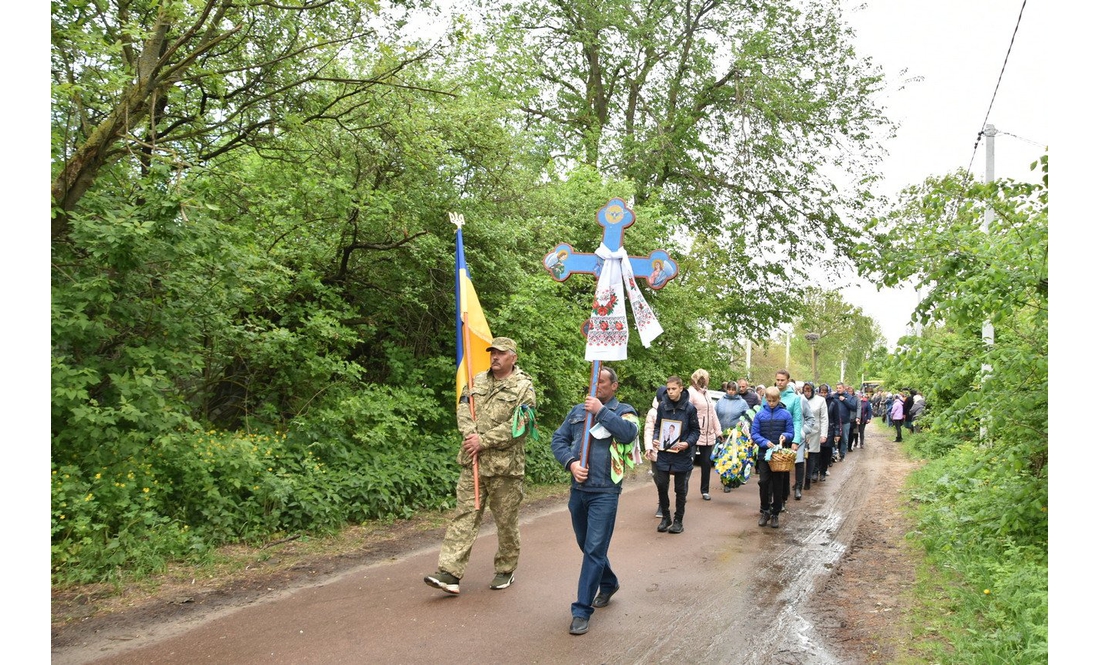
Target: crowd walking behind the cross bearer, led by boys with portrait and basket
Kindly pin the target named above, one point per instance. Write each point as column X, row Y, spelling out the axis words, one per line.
column 789, row 436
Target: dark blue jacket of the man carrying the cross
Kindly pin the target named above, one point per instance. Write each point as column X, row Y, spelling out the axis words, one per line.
column 569, row 439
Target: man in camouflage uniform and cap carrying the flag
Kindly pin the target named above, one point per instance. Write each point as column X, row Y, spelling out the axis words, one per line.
column 498, row 395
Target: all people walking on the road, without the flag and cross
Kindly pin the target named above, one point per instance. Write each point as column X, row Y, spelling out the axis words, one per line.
column 788, row 436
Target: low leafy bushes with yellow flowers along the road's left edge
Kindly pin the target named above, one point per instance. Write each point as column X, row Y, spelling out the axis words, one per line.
column 370, row 457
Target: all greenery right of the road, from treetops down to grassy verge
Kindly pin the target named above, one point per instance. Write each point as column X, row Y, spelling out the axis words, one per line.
column 983, row 500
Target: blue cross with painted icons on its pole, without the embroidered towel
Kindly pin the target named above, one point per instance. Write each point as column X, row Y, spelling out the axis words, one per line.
column 563, row 262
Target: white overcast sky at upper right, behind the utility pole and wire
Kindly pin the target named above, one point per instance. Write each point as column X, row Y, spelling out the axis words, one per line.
column 959, row 49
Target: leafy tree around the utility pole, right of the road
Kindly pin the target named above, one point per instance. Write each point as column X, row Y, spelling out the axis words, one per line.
column 937, row 238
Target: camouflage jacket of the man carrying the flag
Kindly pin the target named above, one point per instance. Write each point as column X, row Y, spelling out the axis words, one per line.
column 496, row 402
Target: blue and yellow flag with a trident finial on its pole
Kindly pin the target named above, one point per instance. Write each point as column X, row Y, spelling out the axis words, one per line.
column 472, row 335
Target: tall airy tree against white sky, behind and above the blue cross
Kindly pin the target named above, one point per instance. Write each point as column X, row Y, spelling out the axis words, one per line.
column 740, row 118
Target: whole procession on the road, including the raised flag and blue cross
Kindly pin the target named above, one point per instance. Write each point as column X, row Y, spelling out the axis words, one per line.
column 782, row 434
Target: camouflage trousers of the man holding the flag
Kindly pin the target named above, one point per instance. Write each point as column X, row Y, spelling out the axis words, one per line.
column 503, row 495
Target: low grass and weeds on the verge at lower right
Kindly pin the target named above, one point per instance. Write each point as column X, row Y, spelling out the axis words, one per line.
column 987, row 529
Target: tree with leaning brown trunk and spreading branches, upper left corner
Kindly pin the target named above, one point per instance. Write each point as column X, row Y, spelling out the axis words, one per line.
column 179, row 83
